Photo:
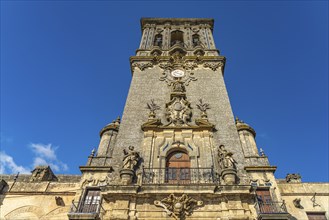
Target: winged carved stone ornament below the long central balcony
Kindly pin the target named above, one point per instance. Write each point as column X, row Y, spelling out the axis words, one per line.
column 178, row 207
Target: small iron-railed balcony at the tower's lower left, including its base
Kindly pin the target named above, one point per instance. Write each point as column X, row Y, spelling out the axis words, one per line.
column 84, row 211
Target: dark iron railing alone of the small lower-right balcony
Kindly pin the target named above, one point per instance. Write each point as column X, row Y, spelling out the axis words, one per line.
column 271, row 207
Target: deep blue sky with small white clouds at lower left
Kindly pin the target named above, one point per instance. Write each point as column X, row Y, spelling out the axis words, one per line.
column 65, row 74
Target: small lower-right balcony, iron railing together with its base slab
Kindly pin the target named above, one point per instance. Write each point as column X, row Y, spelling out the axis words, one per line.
column 271, row 210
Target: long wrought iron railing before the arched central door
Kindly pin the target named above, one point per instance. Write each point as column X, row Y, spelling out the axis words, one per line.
column 179, row 176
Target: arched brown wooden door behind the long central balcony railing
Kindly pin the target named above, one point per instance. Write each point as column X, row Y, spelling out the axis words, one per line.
column 178, row 168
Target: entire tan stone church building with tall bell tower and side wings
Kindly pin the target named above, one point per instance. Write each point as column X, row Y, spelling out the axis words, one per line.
column 177, row 153
